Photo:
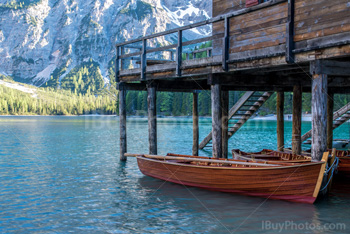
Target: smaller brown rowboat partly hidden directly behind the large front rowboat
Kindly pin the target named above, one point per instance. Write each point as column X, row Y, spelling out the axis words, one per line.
column 271, row 155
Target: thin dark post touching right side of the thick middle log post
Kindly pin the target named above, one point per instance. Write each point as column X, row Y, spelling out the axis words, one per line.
column 224, row 121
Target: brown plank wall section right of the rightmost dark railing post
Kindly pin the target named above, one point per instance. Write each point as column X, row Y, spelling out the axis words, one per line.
column 319, row 18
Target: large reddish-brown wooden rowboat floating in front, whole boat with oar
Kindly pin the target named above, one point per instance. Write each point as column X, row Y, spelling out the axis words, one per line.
column 286, row 181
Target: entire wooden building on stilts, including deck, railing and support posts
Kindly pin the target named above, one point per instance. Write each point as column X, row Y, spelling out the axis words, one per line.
column 276, row 45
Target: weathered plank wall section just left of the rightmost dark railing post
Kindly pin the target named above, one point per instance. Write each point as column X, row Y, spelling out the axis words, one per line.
column 264, row 29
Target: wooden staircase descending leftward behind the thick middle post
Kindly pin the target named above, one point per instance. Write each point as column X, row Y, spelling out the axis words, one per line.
column 243, row 110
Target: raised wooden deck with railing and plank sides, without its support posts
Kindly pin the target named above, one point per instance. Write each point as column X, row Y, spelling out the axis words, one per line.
column 269, row 47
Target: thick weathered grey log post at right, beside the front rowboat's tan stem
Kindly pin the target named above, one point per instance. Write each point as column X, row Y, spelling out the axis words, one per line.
column 319, row 116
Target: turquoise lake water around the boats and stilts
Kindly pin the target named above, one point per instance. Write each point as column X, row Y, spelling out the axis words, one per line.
column 63, row 175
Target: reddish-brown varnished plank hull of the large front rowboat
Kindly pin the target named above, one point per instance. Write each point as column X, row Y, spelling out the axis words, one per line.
column 294, row 183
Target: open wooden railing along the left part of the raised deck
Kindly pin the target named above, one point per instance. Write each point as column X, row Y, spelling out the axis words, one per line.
column 143, row 50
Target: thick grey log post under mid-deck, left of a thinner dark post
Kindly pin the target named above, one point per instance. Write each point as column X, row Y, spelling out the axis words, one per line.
column 216, row 120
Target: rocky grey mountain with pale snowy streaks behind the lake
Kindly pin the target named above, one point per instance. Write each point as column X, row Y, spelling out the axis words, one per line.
column 63, row 42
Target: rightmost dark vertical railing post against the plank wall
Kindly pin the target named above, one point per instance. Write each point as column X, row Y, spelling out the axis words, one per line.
column 290, row 58
